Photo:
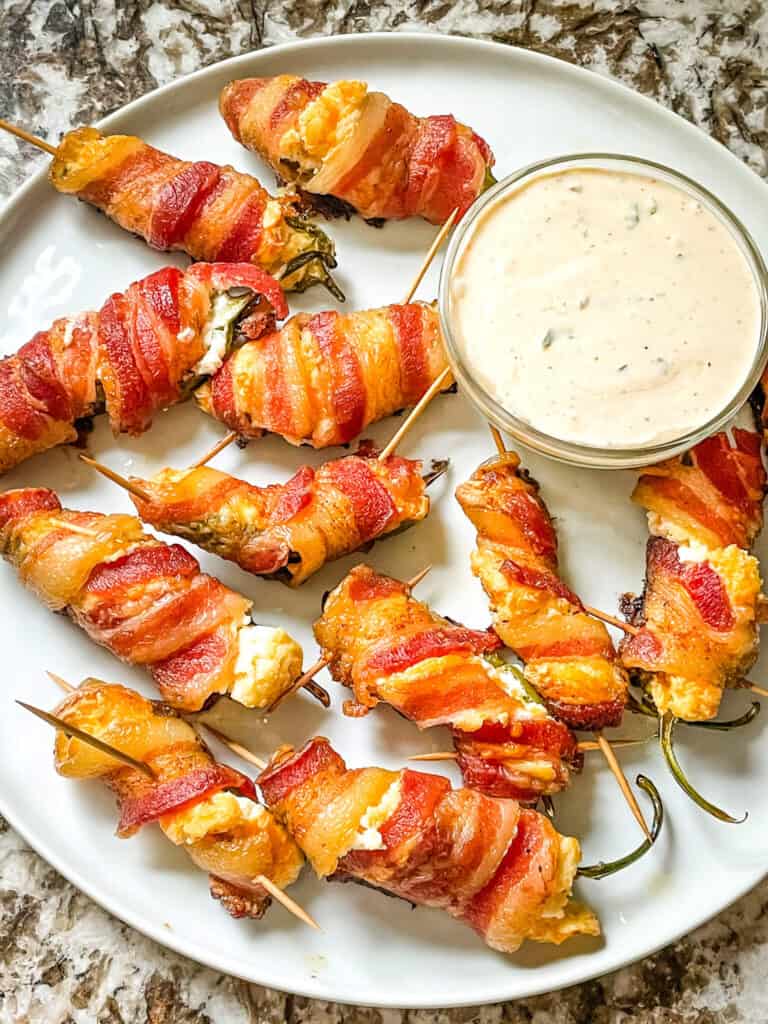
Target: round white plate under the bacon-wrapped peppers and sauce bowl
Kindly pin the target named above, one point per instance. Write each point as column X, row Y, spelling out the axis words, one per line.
column 61, row 257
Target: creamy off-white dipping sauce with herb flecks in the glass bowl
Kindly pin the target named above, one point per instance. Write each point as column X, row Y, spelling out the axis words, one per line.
column 606, row 308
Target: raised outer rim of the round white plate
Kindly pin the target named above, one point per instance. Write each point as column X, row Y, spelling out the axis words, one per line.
column 315, row 988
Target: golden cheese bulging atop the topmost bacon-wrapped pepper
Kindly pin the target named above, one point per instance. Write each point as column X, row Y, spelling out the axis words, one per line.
column 325, row 124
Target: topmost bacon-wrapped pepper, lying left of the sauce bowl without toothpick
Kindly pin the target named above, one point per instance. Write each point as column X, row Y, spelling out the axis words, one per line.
column 359, row 147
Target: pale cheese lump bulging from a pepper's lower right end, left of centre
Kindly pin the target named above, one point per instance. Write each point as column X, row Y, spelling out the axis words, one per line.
column 268, row 664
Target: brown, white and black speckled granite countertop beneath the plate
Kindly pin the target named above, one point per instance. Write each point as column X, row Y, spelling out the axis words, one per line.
column 65, row 961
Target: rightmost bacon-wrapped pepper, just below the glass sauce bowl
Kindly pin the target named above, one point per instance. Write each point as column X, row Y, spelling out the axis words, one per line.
column 698, row 615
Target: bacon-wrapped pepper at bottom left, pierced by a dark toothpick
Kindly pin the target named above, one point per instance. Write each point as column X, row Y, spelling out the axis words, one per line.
column 207, row 808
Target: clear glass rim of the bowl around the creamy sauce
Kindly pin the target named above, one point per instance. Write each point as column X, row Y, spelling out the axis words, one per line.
column 570, row 452
